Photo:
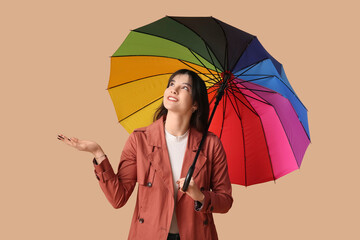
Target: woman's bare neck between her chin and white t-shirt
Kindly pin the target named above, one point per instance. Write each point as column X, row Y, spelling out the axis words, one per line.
column 177, row 125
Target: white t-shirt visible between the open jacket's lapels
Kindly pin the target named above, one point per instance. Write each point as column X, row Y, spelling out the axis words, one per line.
column 176, row 146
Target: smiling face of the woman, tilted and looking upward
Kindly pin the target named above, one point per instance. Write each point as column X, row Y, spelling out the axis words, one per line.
column 178, row 96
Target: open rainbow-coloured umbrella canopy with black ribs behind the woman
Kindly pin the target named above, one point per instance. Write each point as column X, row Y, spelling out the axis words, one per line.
column 260, row 120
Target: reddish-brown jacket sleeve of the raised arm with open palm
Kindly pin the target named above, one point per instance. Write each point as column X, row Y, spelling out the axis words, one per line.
column 118, row 187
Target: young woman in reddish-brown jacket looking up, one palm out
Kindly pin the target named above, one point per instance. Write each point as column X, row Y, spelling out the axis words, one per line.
column 158, row 157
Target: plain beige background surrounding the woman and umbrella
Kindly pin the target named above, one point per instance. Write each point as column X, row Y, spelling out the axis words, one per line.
column 54, row 71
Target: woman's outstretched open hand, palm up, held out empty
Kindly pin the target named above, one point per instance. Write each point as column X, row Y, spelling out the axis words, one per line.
column 82, row 145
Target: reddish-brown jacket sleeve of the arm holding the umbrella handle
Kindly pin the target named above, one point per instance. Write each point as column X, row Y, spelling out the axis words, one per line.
column 218, row 199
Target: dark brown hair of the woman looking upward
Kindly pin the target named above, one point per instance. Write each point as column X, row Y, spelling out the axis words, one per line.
column 199, row 118
